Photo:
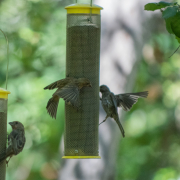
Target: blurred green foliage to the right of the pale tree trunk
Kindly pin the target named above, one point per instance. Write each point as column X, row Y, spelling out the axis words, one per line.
column 152, row 149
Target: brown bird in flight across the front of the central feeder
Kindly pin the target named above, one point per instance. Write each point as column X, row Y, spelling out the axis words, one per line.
column 68, row 89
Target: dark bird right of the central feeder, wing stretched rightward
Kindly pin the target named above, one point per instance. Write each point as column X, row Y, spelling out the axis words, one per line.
column 111, row 102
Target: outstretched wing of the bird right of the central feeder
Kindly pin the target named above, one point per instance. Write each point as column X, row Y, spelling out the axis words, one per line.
column 127, row 100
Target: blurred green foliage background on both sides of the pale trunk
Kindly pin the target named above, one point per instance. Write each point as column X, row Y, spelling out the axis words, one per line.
column 37, row 36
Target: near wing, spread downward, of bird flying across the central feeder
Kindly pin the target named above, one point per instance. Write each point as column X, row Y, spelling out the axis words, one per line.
column 70, row 94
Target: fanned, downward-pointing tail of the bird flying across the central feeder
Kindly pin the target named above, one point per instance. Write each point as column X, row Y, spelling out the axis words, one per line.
column 52, row 106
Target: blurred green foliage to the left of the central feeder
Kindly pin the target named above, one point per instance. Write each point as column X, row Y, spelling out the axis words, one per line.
column 36, row 31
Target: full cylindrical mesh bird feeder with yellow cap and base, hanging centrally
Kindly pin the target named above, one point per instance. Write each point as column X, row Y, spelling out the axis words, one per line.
column 82, row 61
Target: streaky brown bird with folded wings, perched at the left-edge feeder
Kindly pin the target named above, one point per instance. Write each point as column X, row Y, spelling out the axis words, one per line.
column 16, row 141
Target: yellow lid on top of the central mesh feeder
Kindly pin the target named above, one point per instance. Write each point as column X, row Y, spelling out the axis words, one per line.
column 83, row 9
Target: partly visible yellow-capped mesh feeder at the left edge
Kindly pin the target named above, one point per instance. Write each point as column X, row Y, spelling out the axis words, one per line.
column 3, row 129
